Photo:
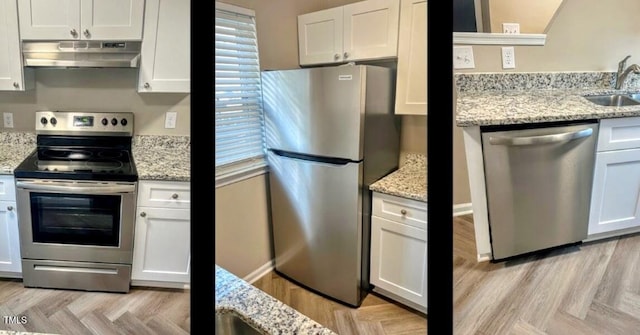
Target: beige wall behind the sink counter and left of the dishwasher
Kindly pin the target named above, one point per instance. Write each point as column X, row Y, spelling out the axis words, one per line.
column 586, row 35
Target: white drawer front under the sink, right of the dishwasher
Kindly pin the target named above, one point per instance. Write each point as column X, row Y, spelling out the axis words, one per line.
column 619, row 133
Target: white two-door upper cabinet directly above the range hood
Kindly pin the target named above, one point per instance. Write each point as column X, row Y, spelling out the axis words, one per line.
column 81, row 19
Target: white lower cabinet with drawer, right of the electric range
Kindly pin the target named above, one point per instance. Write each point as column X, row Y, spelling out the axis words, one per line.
column 162, row 244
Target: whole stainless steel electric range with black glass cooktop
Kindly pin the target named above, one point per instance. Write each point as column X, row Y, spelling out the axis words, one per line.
column 76, row 199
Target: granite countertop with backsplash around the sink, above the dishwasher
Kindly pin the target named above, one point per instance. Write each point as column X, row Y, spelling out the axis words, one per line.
column 518, row 98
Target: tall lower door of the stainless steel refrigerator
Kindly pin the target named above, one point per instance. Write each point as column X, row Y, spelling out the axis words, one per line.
column 317, row 225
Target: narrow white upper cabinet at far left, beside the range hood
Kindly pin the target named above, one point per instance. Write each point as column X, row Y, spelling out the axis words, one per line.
column 13, row 77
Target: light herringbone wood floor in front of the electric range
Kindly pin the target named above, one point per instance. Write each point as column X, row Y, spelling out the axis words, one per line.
column 142, row 311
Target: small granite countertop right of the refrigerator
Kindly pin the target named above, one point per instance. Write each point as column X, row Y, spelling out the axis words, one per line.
column 409, row 181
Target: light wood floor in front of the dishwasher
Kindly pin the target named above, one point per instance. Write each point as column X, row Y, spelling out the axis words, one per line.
column 593, row 288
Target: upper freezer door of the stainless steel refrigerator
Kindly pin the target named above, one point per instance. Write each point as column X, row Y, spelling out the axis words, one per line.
column 317, row 111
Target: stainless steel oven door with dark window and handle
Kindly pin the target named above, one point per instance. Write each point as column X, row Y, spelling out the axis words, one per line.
column 76, row 220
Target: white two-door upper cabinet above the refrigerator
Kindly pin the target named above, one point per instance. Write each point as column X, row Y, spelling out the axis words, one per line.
column 365, row 30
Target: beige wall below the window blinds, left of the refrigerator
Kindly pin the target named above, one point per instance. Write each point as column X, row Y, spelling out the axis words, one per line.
column 242, row 235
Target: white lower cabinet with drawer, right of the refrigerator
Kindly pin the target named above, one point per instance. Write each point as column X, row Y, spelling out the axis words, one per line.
column 399, row 250
